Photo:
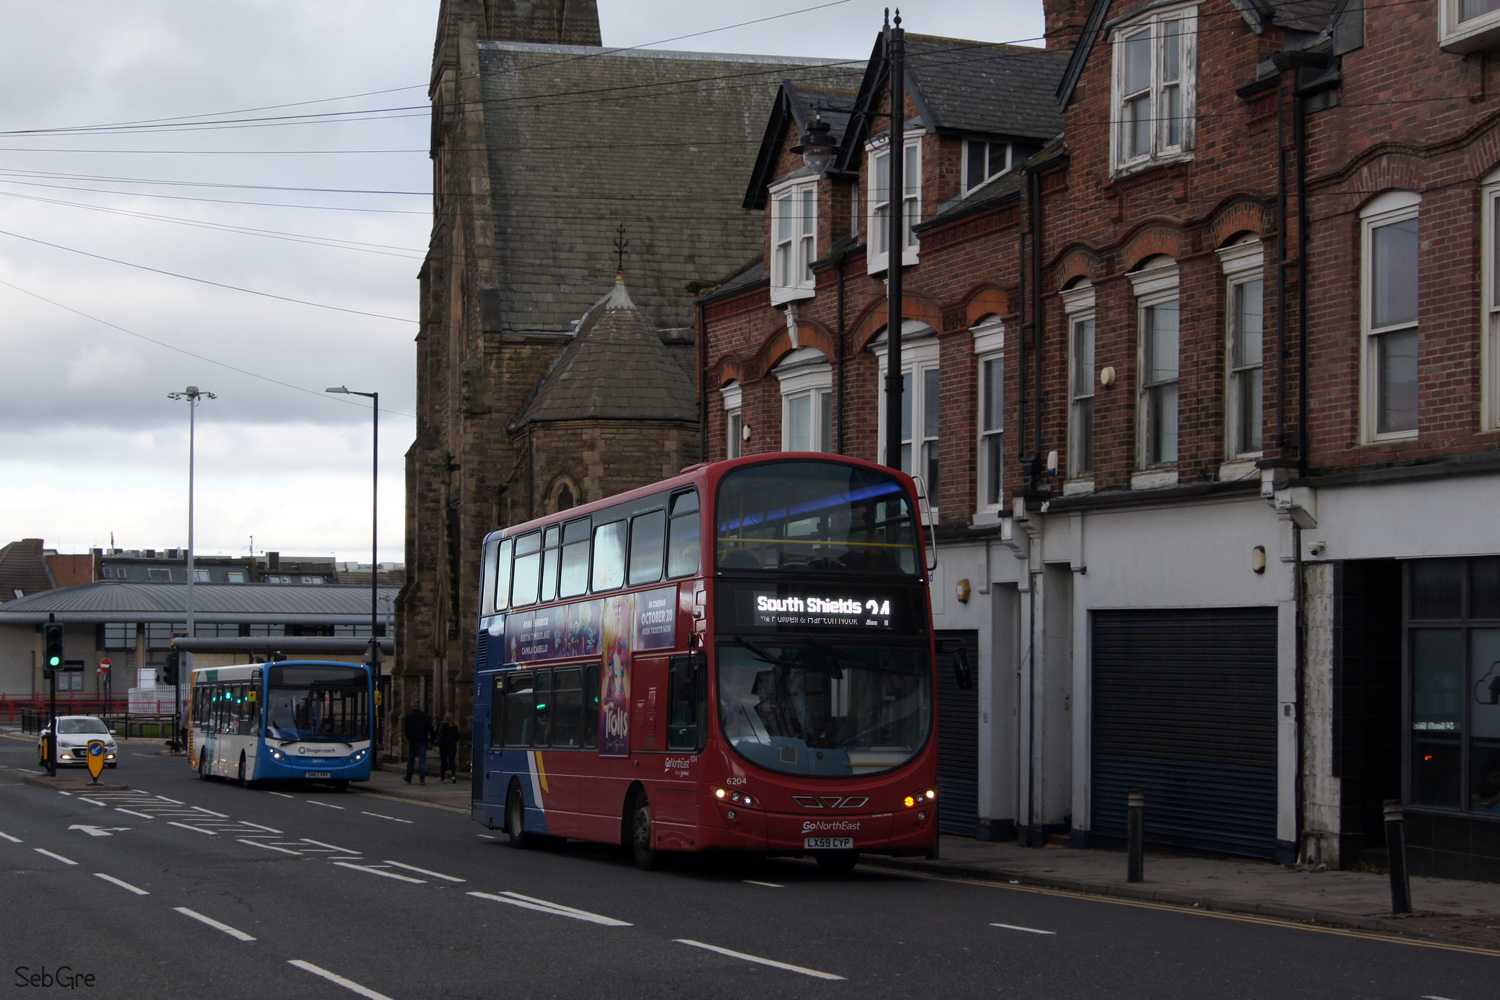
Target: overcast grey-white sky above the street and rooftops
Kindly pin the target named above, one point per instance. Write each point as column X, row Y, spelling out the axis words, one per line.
column 175, row 173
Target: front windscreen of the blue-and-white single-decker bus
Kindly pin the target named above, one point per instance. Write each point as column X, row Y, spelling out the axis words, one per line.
column 316, row 702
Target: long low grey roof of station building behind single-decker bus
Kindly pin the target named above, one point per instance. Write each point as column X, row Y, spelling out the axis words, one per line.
column 250, row 603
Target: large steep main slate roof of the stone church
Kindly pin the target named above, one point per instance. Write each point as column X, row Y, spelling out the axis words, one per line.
column 658, row 142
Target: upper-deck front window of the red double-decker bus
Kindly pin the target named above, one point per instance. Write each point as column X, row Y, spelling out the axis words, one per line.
column 815, row 516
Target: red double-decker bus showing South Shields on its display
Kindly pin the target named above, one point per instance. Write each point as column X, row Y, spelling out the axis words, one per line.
column 737, row 659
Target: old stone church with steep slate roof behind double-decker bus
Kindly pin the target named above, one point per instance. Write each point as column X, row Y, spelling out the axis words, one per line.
column 542, row 146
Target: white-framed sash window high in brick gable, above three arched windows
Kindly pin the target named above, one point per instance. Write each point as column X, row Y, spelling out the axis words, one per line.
column 1156, row 91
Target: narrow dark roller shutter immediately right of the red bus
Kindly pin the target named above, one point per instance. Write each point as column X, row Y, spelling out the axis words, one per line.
column 958, row 740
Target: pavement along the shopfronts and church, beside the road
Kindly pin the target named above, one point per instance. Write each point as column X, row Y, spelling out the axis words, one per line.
column 1447, row 909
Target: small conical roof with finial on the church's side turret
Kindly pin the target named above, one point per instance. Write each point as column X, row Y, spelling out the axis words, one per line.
column 614, row 370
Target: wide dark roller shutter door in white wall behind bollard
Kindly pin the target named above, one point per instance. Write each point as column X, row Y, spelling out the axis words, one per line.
column 1186, row 708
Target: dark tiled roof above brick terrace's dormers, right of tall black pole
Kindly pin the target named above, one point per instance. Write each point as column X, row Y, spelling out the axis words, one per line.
column 986, row 88
